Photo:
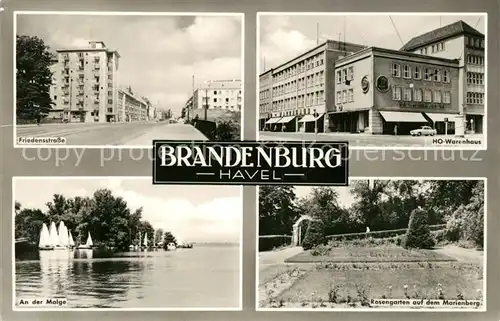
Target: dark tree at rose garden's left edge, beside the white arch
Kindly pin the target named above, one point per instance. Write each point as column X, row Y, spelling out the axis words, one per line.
column 277, row 211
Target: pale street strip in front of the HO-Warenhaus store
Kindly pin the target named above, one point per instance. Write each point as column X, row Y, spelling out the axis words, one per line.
column 367, row 140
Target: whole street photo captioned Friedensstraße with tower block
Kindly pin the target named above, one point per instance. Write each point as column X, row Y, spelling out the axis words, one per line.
column 123, row 79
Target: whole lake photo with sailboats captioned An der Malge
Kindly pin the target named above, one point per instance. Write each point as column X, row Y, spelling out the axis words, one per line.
column 120, row 243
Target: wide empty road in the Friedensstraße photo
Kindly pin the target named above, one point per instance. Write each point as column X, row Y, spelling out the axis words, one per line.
column 121, row 134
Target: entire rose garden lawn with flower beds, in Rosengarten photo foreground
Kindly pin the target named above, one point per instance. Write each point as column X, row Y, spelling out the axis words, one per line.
column 351, row 276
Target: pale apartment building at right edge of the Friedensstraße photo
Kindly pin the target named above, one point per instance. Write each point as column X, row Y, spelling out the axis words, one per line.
column 218, row 94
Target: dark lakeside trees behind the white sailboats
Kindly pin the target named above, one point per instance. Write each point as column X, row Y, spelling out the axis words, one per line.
column 108, row 218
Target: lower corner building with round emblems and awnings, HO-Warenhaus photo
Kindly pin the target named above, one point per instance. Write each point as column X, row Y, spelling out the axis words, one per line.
column 385, row 91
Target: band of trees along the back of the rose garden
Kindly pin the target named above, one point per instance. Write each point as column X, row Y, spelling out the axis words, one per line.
column 379, row 205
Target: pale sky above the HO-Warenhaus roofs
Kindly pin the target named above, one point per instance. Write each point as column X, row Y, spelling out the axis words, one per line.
column 298, row 33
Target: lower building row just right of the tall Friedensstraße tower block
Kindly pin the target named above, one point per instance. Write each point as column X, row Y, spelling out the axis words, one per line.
column 131, row 107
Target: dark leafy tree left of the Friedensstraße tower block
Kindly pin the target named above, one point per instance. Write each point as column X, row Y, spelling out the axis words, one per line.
column 33, row 78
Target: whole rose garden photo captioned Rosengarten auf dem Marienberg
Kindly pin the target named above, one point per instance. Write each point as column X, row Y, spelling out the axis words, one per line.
column 394, row 244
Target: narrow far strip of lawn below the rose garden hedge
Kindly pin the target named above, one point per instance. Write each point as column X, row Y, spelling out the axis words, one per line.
column 372, row 254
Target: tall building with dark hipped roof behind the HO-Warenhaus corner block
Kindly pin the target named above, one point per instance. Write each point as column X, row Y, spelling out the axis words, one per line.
column 460, row 41
